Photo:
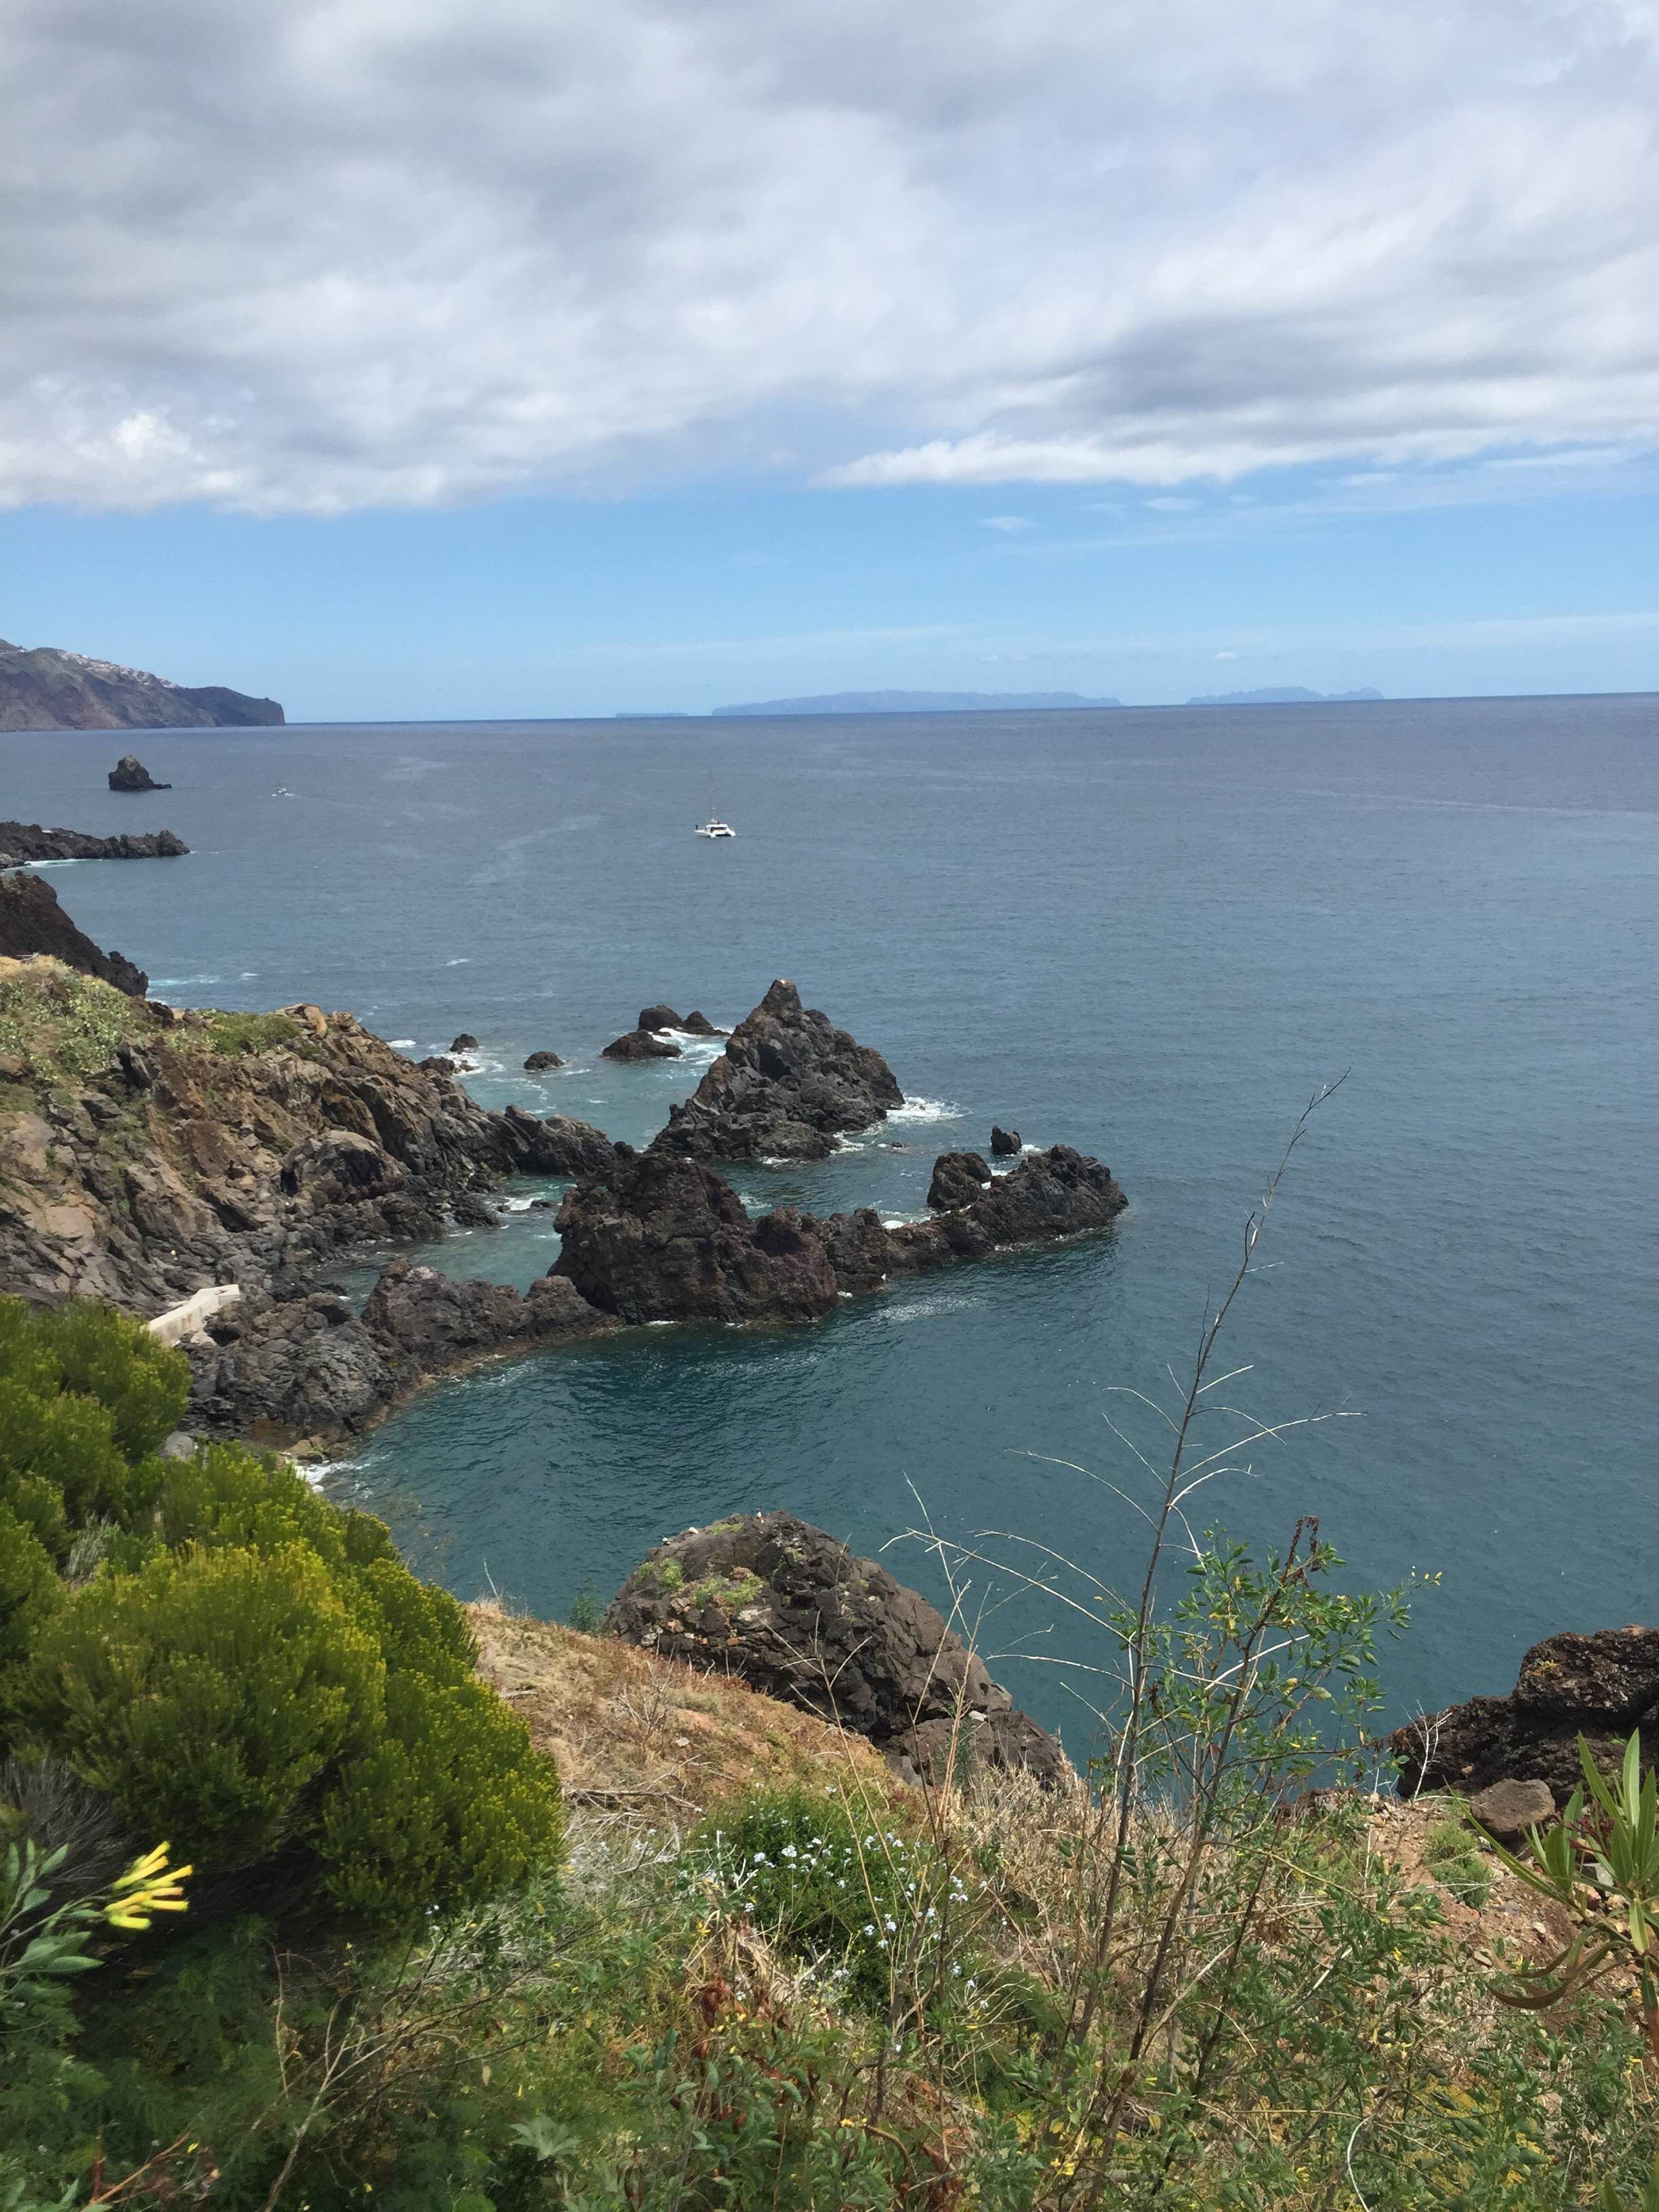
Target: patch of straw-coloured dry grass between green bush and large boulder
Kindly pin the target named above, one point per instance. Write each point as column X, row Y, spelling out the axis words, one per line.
column 649, row 1744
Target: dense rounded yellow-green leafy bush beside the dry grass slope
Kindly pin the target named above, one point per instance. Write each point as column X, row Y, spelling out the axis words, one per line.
column 247, row 1669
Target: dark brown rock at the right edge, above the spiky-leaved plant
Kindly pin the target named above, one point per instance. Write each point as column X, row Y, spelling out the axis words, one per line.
column 1603, row 1687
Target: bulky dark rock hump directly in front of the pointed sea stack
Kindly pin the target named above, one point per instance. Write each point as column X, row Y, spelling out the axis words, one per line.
column 667, row 1240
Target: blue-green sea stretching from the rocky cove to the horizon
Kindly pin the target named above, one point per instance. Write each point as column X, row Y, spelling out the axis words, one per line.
column 1151, row 935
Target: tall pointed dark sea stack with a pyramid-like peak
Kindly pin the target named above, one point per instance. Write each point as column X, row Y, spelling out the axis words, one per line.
column 786, row 1087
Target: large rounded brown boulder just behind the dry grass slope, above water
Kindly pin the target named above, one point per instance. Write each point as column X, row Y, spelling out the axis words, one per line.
column 797, row 1616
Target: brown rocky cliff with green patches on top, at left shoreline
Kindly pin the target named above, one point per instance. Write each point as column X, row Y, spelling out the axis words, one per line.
column 145, row 1151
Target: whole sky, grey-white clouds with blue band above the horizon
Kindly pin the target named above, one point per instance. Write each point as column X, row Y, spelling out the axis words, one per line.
column 525, row 357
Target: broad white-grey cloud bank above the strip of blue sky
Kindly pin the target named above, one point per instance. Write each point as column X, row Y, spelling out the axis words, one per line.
column 335, row 253
